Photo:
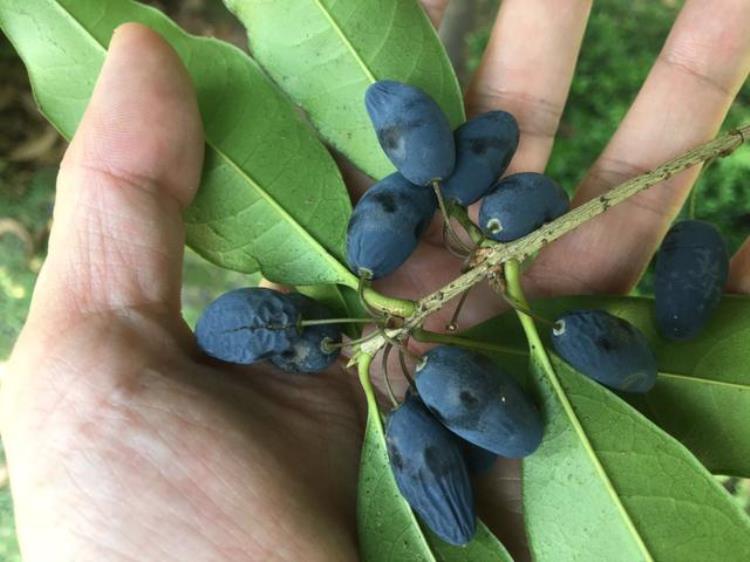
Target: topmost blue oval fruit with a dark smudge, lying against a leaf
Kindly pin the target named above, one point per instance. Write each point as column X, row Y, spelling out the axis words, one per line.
column 412, row 130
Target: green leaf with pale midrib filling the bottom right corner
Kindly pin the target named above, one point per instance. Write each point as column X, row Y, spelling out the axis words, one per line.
column 609, row 484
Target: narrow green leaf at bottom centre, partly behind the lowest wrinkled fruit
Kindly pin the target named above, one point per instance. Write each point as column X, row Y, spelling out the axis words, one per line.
column 388, row 529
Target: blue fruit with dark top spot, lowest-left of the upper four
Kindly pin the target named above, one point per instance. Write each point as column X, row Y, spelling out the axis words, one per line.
column 386, row 225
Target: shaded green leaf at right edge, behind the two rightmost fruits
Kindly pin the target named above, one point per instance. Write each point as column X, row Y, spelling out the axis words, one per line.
column 702, row 394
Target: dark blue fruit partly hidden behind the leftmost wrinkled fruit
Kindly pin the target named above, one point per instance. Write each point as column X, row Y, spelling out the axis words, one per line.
column 308, row 352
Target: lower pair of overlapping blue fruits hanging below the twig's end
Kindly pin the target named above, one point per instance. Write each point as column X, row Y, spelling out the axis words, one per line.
column 463, row 412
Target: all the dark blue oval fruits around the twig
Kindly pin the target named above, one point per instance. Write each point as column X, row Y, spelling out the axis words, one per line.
column 463, row 410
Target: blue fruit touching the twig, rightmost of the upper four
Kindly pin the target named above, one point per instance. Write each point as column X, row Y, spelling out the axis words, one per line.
column 519, row 204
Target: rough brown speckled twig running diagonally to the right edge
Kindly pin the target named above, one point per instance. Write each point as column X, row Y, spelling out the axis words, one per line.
column 494, row 256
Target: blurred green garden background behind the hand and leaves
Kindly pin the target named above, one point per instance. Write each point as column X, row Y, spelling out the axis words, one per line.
column 622, row 40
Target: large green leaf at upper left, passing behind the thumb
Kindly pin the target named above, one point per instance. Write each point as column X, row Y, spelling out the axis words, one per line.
column 271, row 198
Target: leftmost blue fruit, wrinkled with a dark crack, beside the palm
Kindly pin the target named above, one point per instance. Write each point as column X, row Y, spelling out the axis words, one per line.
column 246, row 325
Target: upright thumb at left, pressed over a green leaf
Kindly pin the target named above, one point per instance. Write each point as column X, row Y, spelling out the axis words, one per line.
column 133, row 165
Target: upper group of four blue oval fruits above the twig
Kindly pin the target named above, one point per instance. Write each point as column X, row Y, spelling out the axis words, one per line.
column 462, row 167
